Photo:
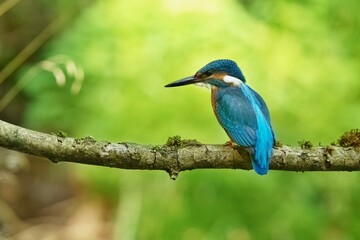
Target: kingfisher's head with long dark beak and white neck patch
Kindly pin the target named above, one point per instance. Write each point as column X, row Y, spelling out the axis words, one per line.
column 218, row 73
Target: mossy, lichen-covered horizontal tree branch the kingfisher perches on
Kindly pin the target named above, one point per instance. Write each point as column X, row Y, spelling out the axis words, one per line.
column 173, row 157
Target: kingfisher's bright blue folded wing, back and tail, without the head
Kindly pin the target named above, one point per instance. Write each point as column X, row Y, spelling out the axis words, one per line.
column 244, row 116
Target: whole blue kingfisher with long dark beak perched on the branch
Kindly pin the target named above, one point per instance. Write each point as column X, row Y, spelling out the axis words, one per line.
column 240, row 110
